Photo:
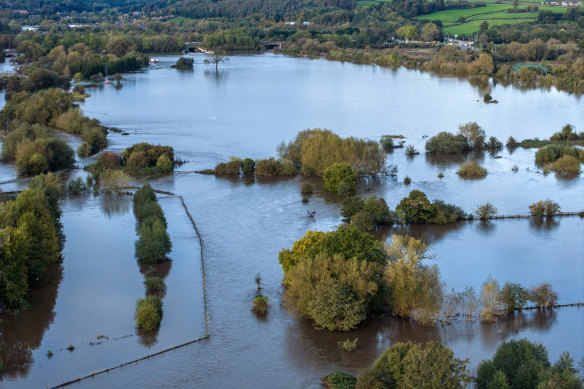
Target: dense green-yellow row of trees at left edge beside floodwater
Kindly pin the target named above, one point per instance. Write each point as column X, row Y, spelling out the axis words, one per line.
column 30, row 238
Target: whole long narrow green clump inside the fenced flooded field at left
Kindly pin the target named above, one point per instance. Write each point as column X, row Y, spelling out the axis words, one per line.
column 154, row 243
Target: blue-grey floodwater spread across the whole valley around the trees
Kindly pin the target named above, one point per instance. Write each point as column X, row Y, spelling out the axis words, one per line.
column 246, row 109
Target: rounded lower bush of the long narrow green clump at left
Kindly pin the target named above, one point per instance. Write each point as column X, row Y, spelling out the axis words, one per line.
column 154, row 243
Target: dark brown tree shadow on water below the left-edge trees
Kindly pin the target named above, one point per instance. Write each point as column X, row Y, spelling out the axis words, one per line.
column 21, row 334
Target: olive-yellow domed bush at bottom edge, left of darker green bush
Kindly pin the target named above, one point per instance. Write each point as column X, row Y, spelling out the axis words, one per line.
column 413, row 365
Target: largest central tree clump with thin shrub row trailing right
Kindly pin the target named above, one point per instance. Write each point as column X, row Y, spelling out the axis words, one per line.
column 339, row 277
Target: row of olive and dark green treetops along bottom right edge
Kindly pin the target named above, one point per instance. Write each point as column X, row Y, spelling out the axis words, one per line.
column 516, row 364
